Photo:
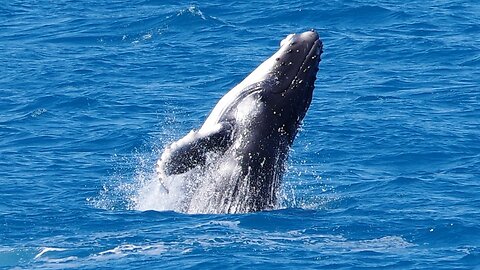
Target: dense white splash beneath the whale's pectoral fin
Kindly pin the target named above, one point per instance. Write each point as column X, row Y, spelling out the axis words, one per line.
column 214, row 188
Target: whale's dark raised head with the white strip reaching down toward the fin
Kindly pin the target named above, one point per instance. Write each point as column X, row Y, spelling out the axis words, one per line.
column 285, row 81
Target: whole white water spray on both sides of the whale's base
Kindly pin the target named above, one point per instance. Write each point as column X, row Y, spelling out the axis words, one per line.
column 197, row 190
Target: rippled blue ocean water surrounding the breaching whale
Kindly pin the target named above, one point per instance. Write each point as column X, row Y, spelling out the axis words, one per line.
column 385, row 172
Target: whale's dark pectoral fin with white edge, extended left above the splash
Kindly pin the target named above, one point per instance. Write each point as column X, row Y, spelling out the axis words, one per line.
column 191, row 150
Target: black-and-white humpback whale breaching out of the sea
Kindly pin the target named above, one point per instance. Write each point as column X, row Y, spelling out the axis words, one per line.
column 236, row 160
